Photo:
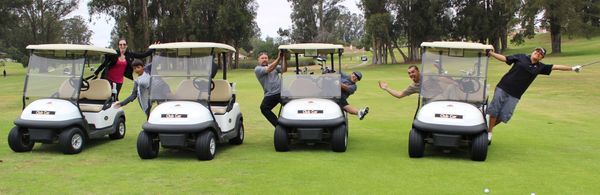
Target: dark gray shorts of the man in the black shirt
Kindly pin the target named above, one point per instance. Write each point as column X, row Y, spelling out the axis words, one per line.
column 502, row 106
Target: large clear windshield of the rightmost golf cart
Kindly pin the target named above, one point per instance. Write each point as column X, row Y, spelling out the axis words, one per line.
column 455, row 74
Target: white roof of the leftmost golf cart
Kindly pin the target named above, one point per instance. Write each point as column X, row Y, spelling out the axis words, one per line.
column 70, row 49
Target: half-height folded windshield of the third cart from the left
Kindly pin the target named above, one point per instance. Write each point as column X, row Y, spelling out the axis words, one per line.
column 311, row 86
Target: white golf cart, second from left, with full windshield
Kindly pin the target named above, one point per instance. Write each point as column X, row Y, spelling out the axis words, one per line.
column 196, row 111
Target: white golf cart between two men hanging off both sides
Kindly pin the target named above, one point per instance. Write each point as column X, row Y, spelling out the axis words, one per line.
column 310, row 112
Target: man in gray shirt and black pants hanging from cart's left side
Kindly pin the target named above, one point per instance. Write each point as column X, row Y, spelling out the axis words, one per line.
column 268, row 76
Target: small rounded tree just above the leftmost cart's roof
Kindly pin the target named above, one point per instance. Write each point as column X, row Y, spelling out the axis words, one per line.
column 76, row 31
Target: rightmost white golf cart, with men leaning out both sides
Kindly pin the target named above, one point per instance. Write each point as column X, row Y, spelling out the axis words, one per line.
column 453, row 99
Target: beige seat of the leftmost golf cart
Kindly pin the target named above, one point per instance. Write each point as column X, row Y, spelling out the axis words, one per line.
column 97, row 97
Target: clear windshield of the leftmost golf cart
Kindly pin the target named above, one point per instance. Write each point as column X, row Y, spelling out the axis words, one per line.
column 56, row 76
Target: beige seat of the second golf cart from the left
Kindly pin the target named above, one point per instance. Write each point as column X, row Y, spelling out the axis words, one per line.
column 221, row 97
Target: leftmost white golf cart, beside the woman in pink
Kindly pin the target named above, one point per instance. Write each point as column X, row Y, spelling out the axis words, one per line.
column 60, row 106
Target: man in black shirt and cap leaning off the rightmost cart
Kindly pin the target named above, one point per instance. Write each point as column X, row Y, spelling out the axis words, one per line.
column 516, row 81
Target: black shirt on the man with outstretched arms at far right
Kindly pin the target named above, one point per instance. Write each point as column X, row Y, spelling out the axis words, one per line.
column 521, row 74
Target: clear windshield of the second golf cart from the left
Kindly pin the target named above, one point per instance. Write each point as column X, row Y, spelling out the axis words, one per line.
column 180, row 77
